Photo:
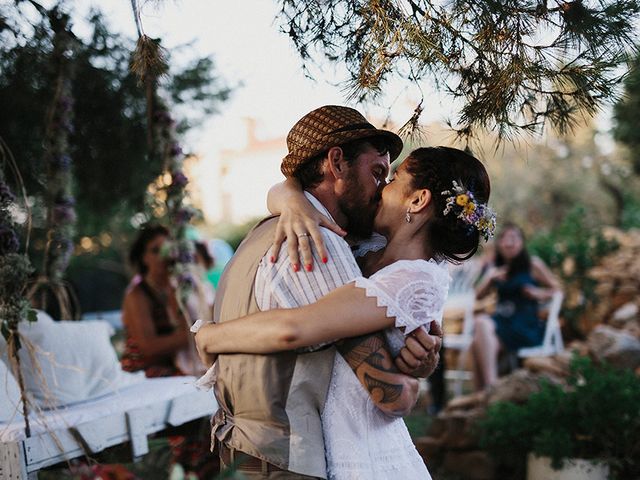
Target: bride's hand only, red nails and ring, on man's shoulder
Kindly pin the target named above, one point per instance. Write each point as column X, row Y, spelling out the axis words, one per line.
column 300, row 223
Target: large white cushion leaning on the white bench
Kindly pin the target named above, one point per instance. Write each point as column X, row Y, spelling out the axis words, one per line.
column 75, row 361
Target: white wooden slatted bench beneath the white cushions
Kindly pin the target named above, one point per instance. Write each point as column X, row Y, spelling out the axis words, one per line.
column 129, row 415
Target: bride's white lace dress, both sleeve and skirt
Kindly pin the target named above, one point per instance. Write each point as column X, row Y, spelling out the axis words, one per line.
column 361, row 442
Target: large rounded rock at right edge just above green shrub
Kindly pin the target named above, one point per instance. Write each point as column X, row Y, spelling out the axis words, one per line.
column 616, row 347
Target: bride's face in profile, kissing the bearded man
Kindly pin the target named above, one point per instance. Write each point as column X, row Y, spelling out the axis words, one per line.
column 395, row 201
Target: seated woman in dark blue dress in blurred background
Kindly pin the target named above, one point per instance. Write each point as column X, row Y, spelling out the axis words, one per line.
column 521, row 283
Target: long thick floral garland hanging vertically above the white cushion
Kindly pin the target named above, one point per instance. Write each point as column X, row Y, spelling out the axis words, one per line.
column 61, row 215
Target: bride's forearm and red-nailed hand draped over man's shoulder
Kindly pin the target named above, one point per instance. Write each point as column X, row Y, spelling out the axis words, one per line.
column 298, row 218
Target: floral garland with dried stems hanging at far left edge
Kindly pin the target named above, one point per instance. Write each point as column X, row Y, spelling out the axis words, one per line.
column 15, row 270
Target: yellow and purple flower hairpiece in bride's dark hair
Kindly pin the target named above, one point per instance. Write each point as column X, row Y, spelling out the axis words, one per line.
column 462, row 204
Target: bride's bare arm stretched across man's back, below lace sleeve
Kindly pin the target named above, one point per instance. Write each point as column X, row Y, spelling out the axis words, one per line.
column 344, row 312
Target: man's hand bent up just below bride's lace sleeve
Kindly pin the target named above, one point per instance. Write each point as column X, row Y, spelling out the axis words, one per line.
column 421, row 353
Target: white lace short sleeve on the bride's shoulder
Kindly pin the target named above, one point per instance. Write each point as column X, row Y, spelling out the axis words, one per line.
column 413, row 291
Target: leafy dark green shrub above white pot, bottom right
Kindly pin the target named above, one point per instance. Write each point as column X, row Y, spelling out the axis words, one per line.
column 595, row 417
